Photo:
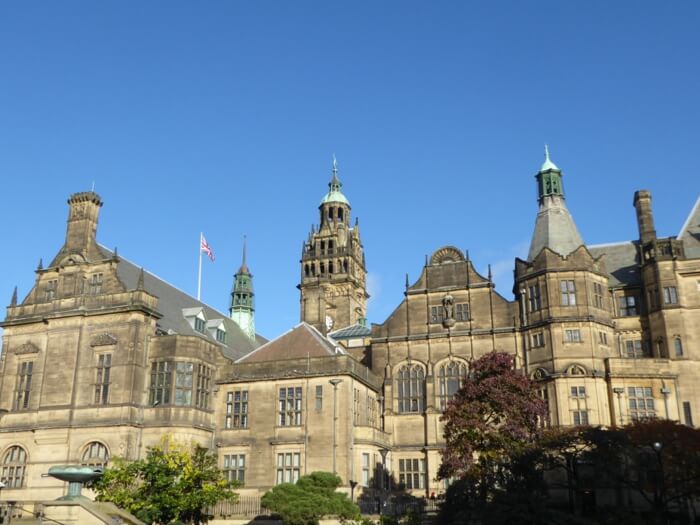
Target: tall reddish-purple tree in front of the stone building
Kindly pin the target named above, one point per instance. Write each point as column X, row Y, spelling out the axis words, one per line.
column 491, row 426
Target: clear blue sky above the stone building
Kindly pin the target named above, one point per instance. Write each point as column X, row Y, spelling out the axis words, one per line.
column 223, row 117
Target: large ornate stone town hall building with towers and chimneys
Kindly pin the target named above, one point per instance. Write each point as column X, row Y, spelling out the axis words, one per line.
column 101, row 358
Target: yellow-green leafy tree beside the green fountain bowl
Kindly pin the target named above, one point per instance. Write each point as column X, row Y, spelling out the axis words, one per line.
column 172, row 483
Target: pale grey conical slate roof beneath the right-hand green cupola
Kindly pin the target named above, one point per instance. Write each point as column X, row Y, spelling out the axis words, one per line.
column 554, row 229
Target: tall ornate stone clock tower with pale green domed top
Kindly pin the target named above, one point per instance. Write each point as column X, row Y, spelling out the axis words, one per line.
column 333, row 274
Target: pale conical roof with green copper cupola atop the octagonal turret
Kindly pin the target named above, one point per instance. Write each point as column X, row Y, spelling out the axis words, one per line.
column 554, row 227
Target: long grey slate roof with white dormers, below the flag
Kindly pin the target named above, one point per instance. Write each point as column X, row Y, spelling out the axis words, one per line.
column 172, row 302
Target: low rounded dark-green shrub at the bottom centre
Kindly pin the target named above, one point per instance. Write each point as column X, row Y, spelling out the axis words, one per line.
column 310, row 498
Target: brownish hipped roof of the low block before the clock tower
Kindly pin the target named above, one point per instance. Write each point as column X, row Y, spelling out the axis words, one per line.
column 300, row 342
